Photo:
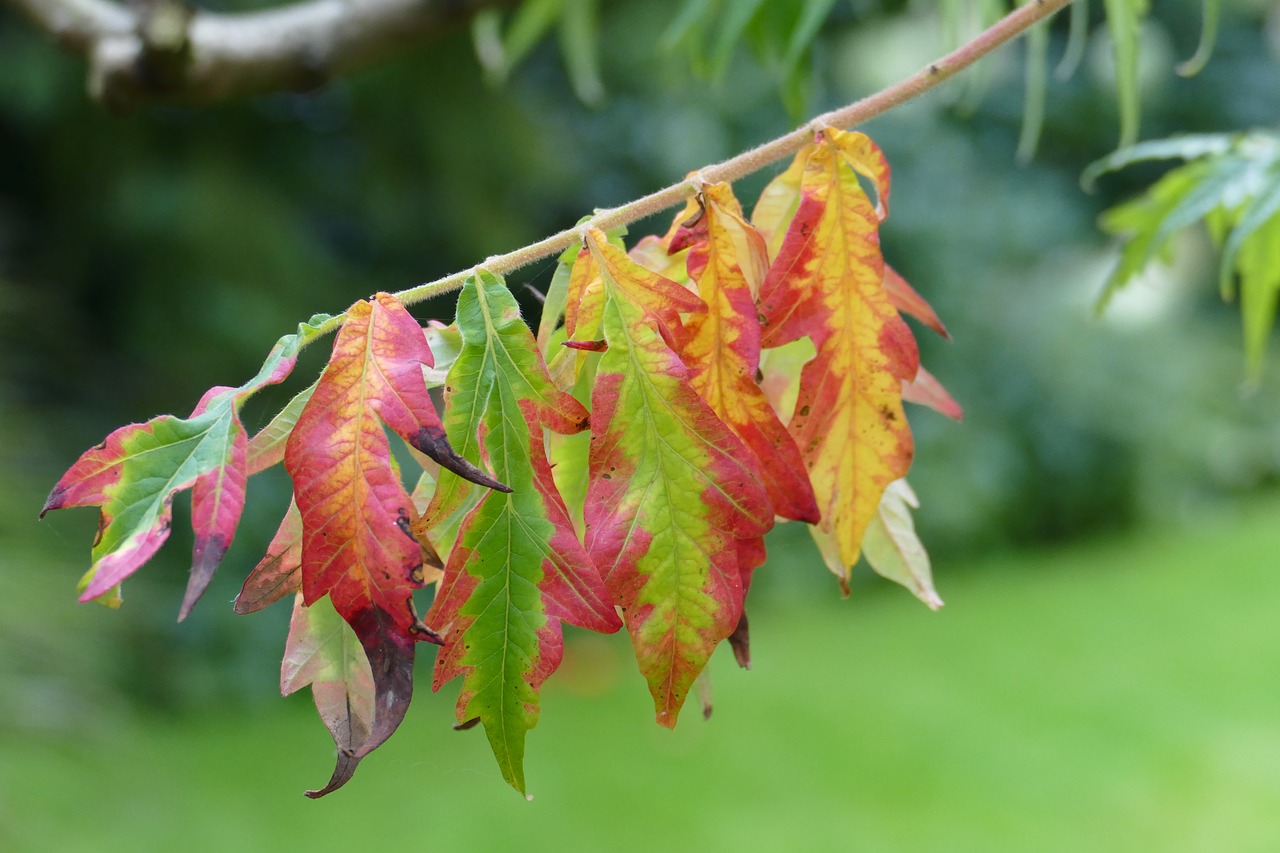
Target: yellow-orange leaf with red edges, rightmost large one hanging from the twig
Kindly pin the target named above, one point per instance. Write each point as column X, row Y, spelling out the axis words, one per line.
column 828, row 284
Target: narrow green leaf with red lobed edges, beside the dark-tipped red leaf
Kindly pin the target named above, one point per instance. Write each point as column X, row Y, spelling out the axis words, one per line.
column 518, row 569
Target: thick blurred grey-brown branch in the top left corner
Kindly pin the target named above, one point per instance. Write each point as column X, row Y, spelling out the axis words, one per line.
column 164, row 51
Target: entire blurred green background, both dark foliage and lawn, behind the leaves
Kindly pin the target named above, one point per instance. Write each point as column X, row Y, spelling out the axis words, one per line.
column 1103, row 524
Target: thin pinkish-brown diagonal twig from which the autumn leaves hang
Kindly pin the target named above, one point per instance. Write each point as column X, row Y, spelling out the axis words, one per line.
column 761, row 157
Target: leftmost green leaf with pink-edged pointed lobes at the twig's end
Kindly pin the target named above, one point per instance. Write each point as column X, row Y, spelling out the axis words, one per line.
column 136, row 472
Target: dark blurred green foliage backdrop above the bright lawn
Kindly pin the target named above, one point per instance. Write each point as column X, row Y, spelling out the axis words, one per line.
column 145, row 259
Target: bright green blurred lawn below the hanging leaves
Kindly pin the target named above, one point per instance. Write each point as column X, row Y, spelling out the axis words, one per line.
column 1116, row 696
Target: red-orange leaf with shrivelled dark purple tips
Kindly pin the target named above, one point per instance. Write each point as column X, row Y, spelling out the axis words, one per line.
column 359, row 548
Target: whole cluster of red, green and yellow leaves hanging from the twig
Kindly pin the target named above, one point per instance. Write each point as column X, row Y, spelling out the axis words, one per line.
column 618, row 469
